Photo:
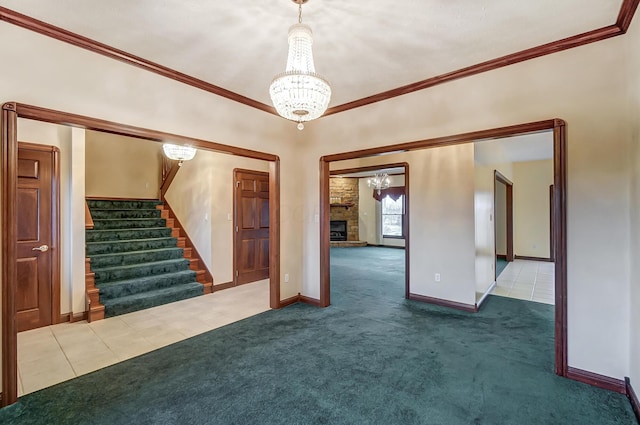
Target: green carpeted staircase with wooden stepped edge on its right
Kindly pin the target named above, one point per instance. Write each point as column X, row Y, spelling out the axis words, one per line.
column 136, row 257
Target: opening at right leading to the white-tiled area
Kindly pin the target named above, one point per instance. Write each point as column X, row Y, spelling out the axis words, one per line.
column 514, row 173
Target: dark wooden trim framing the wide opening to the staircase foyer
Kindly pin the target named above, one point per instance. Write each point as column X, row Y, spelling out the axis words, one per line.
column 8, row 214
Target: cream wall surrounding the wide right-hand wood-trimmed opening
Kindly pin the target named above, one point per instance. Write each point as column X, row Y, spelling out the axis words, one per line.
column 587, row 87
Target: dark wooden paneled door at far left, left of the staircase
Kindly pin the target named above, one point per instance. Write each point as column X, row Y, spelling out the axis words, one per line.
column 34, row 206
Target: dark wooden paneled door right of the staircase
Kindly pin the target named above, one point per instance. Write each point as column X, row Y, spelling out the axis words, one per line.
column 251, row 253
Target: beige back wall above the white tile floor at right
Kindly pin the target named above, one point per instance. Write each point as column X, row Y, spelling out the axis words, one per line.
column 531, row 209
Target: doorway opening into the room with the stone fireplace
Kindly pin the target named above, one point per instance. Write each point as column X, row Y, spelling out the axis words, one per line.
column 368, row 231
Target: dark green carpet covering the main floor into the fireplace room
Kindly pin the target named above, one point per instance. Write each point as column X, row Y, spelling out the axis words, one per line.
column 371, row 358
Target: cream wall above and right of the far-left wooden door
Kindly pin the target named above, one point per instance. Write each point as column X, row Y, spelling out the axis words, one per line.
column 72, row 240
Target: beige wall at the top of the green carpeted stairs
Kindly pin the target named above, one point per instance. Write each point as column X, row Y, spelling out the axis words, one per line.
column 122, row 167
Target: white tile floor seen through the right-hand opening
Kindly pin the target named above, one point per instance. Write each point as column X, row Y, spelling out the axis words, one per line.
column 527, row 280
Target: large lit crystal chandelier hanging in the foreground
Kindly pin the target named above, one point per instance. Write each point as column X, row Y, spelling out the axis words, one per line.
column 299, row 94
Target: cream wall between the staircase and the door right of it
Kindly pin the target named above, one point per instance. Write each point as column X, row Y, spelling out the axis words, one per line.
column 201, row 195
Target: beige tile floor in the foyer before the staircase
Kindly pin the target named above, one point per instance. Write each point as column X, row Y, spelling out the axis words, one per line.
column 49, row 355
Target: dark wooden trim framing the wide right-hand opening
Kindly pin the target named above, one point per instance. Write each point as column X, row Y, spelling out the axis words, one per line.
column 559, row 209
